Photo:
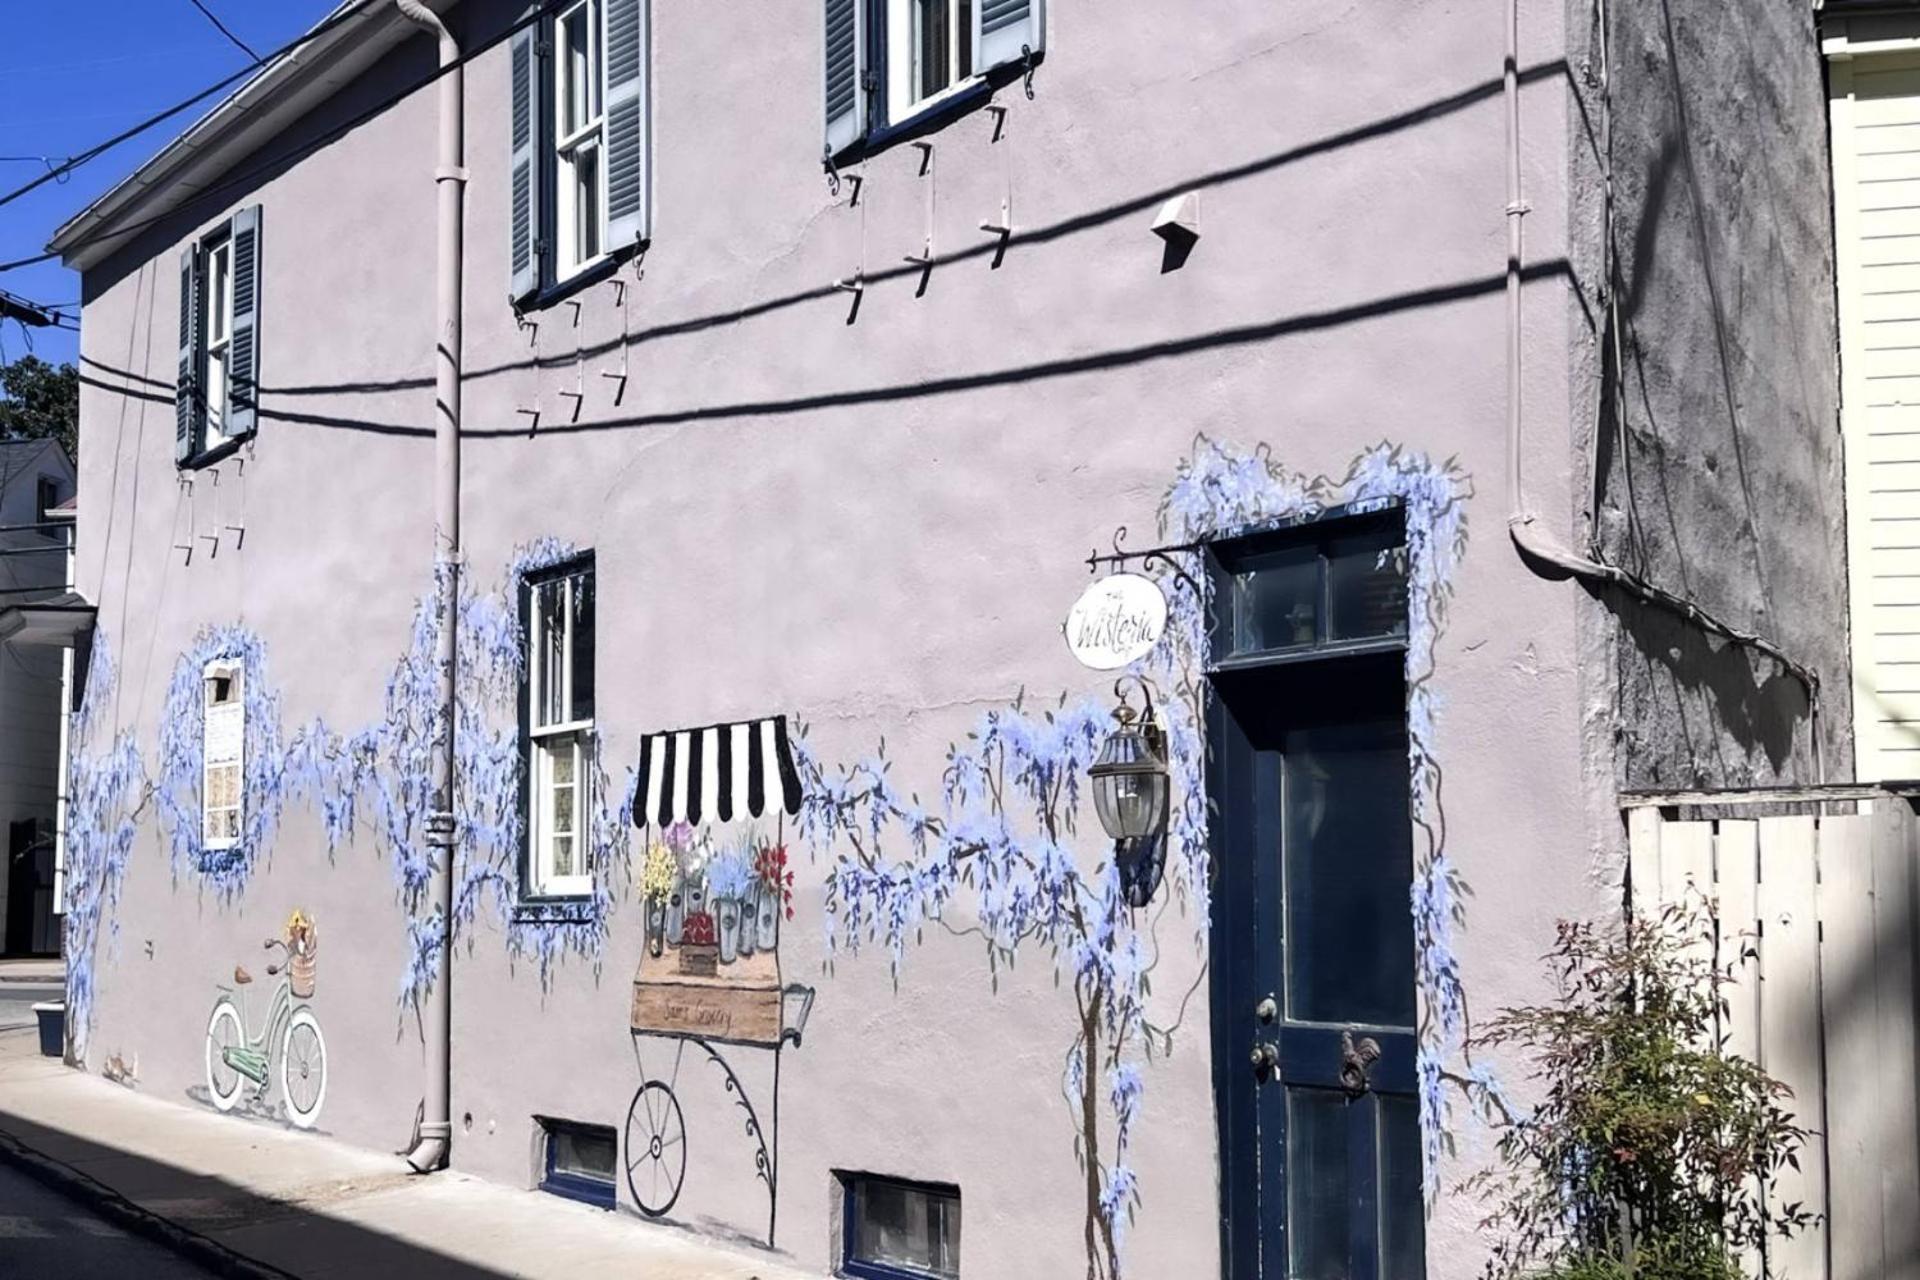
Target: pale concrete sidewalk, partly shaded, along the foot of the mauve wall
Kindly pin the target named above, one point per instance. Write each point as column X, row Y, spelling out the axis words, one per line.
column 249, row 1198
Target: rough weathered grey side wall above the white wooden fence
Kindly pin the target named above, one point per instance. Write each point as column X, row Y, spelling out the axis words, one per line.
column 1729, row 490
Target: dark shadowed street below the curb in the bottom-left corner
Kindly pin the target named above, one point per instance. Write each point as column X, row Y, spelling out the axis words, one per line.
column 47, row 1235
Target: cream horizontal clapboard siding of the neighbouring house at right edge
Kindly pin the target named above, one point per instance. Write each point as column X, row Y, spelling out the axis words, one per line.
column 1877, row 220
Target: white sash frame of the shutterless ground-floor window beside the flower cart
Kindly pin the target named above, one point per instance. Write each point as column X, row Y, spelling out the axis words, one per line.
column 544, row 742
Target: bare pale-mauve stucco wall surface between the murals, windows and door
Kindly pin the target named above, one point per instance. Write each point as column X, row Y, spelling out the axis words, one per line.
column 873, row 523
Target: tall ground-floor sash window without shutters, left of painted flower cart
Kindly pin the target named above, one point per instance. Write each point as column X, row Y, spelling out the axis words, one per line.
column 560, row 698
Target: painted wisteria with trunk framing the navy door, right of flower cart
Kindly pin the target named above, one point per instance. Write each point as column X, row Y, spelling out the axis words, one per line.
column 1009, row 803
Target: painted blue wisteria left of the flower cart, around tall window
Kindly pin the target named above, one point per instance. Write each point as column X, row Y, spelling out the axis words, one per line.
column 370, row 782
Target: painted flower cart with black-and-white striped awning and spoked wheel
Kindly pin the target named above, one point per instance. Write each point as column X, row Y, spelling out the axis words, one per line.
column 709, row 974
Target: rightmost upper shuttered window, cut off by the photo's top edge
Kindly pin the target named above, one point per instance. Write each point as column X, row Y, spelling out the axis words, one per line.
column 892, row 62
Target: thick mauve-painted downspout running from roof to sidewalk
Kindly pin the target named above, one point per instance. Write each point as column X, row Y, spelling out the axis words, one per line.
column 450, row 179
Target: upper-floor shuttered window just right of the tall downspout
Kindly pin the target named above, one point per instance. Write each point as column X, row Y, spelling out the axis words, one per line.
column 579, row 145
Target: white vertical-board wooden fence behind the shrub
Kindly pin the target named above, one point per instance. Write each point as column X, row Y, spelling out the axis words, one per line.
column 1817, row 916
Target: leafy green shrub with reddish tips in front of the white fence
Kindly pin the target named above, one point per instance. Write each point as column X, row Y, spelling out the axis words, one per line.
column 1652, row 1154
